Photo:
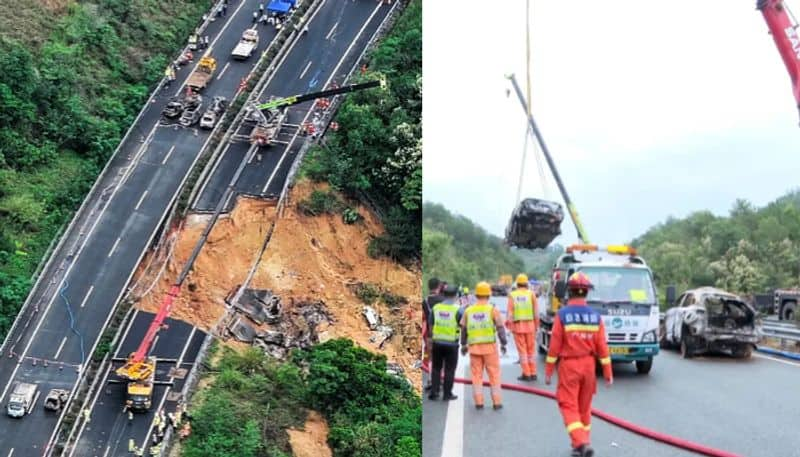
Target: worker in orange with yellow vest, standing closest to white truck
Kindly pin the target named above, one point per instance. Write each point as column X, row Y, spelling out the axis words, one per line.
column 522, row 320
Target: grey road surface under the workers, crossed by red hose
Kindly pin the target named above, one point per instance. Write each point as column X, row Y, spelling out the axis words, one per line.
column 748, row 407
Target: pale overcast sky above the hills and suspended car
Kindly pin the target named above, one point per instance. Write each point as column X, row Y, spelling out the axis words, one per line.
column 649, row 108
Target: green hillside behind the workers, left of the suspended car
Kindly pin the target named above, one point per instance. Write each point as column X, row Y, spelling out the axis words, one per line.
column 457, row 250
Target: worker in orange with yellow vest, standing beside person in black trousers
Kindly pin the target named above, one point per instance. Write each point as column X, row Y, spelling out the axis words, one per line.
column 481, row 327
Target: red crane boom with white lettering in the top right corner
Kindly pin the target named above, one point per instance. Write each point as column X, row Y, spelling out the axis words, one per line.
column 784, row 31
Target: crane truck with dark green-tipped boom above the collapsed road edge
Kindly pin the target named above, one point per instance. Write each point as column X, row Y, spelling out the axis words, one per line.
column 269, row 117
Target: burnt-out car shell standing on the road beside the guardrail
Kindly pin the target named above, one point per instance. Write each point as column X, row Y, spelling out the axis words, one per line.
column 711, row 320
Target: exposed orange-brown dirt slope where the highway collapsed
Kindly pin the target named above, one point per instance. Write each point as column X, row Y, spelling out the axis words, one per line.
column 308, row 259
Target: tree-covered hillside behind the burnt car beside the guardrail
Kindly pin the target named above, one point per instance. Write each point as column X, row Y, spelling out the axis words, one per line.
column 749, row 251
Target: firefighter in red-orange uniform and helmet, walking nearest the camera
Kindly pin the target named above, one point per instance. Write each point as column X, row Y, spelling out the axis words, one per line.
column 578, row 339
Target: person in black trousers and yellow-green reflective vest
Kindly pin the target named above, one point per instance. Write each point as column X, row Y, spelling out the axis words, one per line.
column 445, row 317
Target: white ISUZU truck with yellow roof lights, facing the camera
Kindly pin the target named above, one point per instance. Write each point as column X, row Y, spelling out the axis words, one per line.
column 624, row 294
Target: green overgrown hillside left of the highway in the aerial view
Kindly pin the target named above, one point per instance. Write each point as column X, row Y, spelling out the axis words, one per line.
column 70, row 86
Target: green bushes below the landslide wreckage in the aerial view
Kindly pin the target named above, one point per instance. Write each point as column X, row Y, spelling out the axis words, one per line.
column 253, row 399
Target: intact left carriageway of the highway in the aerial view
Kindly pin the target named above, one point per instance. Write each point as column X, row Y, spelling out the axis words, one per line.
column 76, row 294
